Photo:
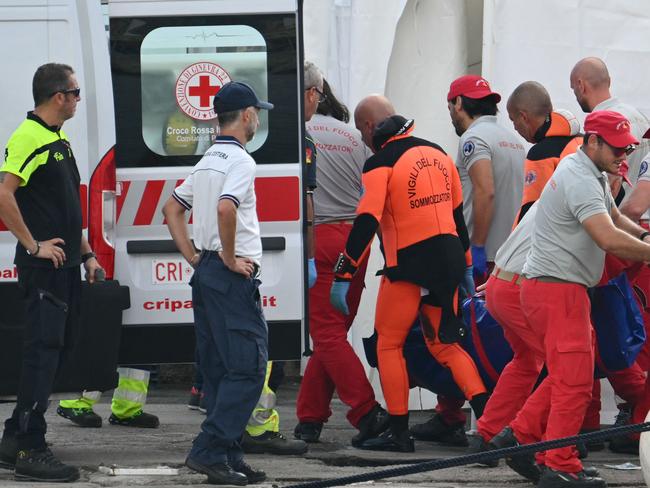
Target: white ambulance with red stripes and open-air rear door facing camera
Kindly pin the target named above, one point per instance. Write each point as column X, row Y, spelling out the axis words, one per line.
column 144, row 119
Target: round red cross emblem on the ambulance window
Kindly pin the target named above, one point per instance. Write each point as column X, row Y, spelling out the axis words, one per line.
column 196, row 87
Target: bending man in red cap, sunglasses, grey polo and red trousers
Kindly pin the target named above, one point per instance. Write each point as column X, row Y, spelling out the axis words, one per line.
column 576, row 223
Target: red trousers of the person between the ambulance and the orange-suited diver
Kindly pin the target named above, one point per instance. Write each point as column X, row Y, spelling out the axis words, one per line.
column 334, row 364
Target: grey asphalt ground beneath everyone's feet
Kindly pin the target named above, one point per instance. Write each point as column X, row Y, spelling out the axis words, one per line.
column 333, row 457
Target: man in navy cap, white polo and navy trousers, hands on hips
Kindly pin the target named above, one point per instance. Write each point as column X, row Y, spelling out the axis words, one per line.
column 231, row 332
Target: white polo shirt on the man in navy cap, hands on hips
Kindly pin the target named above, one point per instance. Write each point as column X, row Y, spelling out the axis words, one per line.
column 226, row 171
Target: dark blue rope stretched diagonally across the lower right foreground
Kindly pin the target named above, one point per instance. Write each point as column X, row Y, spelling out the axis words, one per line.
column 481, row 457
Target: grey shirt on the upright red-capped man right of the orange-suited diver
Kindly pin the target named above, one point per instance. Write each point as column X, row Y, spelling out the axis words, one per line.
column 486, row 139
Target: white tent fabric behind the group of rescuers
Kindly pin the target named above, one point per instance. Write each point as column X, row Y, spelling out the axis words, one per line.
column 411, row 50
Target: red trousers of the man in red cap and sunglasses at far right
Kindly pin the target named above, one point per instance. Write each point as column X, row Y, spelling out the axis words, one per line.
column 559, row 313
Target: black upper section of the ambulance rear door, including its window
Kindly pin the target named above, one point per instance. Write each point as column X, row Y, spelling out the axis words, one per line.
column 167, row 70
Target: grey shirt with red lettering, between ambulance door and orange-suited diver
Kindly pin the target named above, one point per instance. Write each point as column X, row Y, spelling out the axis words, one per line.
column 341, row 155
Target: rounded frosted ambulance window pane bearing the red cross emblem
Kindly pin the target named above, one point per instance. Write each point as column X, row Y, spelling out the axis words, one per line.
column 192, row 63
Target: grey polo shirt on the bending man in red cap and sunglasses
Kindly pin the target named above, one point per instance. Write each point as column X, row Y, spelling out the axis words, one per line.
column 561, row 247
